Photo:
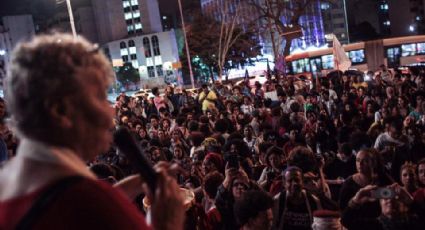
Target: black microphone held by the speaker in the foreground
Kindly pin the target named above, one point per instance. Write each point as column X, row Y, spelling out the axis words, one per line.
column 127, row 144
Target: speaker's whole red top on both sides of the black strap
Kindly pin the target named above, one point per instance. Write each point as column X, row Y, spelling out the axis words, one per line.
column 88, row 204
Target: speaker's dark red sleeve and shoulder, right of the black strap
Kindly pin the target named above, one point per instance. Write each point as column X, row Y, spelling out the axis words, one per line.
column 92, row 205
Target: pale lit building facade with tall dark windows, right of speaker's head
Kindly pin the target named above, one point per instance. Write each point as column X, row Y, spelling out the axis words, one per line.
column 152, row 54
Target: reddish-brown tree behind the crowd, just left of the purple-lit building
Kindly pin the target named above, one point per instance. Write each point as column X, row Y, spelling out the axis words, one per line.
column 217, row 46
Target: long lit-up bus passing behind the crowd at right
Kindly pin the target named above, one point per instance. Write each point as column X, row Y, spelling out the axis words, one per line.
column 369, row 55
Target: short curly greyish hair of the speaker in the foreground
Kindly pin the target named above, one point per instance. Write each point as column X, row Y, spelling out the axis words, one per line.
column 43, row 74
